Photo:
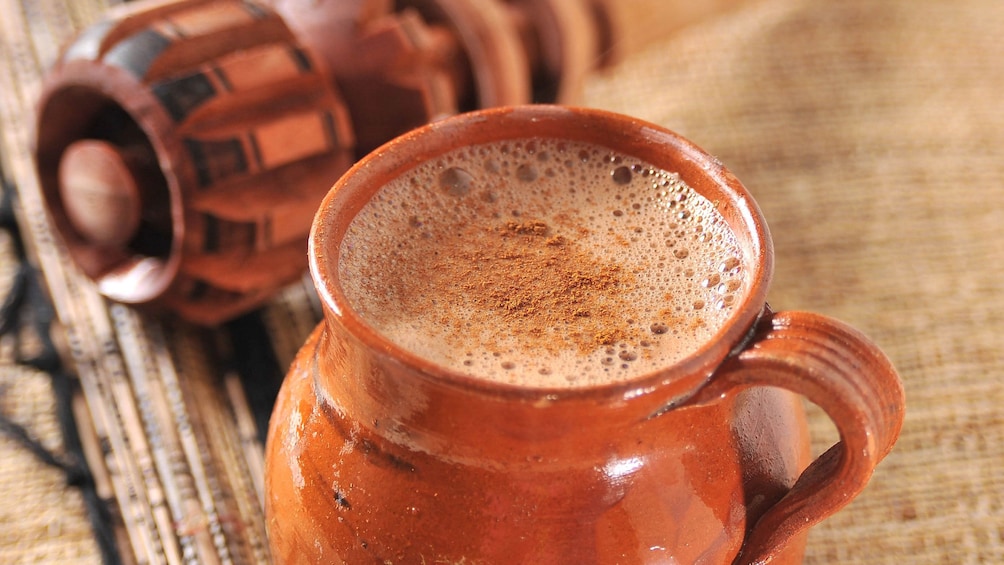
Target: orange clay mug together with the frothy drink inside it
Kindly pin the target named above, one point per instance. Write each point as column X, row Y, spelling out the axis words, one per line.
column 541, row 352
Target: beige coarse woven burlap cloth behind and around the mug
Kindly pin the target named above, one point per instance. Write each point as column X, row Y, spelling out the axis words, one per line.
column 872, row 135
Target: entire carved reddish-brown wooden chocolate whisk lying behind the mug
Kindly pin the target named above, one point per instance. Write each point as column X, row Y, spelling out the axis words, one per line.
column 184, row 147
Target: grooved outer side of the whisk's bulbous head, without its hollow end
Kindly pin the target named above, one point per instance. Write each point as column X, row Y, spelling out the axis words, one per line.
column 253, row 111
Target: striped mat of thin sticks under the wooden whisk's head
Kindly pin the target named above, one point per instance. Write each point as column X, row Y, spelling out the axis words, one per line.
column 175, row 449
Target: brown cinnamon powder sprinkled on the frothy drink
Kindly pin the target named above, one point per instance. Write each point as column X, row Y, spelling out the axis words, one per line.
column 551, row 295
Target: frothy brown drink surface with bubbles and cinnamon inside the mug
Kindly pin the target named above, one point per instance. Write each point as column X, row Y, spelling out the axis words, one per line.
column 543, row 263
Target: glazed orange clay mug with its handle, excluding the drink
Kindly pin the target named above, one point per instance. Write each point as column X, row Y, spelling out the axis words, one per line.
column 379, row 455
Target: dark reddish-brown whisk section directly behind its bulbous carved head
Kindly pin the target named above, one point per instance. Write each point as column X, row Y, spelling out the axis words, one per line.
column 395, row 70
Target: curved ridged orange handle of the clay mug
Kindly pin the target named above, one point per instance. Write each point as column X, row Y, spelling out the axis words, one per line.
column 841, row 371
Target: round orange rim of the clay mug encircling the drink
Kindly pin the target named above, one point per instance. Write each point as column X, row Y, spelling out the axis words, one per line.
column 624, row 134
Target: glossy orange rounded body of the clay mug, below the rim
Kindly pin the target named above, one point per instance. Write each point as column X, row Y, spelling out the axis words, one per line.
column 683, row 487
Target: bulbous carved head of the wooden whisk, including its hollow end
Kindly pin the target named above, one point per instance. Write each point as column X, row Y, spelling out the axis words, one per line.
column 183, row 150
